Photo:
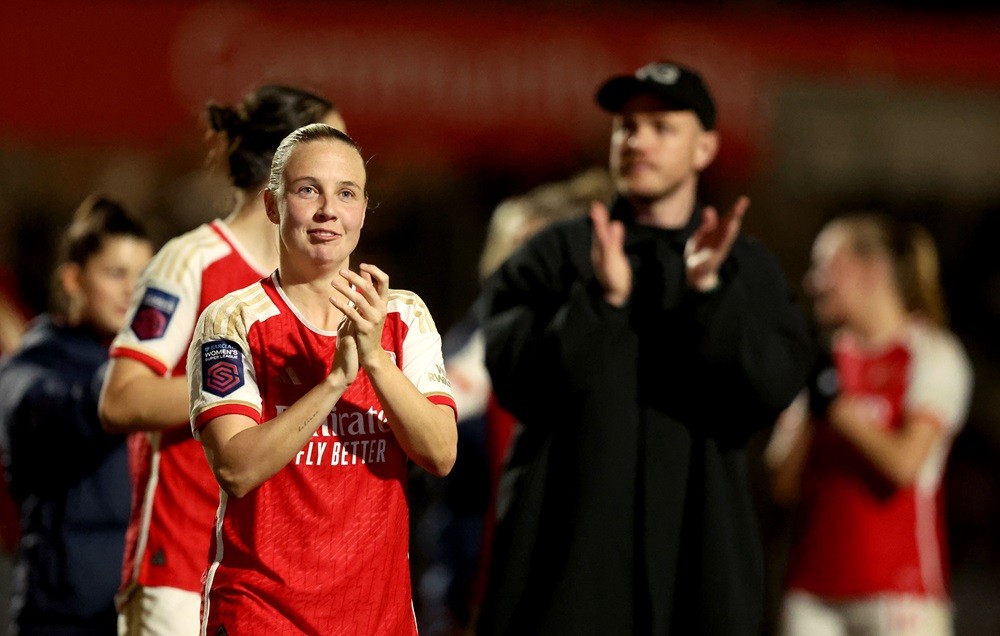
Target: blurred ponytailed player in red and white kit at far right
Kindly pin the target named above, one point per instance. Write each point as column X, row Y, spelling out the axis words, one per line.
column 865, row 450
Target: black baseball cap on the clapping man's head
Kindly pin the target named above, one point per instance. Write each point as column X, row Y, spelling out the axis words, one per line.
column 679, row 87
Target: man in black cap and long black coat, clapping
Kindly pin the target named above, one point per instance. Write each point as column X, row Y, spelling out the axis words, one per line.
column 639, row 349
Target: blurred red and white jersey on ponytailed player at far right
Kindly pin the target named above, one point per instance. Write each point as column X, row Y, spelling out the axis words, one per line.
column 857, row 534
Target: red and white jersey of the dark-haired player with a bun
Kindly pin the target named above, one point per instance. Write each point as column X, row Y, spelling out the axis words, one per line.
column 175, row 495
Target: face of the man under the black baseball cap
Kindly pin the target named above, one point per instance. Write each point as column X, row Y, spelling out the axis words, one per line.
column 656, row 152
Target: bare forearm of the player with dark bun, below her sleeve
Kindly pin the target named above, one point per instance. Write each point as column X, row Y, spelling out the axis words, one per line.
column 143, row 403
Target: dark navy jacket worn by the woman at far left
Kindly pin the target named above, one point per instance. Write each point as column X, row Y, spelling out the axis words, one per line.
column 69, row 479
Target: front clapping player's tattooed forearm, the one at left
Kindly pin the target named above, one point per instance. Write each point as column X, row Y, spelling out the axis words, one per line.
column 257, row 453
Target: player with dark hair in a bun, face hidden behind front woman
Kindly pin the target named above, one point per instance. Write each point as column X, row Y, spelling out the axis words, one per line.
column 176, row 496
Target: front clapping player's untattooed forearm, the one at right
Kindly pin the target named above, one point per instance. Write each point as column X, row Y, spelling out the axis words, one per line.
column 426, row 432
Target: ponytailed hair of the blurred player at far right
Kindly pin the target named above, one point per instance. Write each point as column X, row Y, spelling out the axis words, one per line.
column 910, row 250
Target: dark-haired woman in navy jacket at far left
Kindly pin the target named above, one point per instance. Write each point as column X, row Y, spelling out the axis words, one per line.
column 69, row 477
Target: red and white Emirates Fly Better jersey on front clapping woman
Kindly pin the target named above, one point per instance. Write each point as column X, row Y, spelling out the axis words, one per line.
column 321, row 547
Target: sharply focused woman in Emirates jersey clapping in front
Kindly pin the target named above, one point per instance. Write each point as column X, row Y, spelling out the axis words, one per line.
column 311, row 390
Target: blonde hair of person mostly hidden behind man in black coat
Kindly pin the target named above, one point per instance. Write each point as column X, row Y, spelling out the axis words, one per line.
column 517, row 218
